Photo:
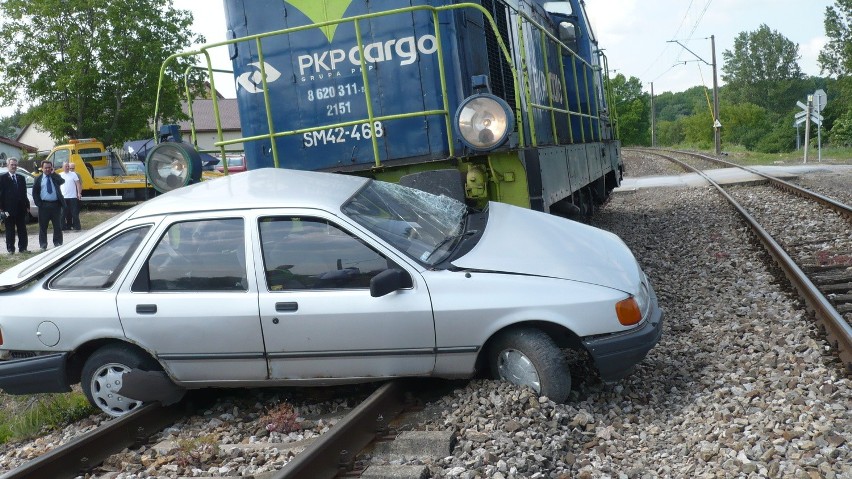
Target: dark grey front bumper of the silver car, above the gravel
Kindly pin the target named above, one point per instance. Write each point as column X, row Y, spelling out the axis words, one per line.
column 617, row 355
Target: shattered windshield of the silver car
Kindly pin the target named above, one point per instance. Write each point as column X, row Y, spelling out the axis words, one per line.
column 420, row 224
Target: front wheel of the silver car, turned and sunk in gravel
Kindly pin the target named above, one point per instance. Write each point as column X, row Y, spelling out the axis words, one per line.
column 529, row 357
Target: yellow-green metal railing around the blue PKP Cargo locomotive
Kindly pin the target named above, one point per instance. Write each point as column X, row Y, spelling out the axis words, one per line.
column 372, row 118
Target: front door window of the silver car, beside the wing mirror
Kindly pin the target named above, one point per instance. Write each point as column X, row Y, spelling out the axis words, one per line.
column 309, row 253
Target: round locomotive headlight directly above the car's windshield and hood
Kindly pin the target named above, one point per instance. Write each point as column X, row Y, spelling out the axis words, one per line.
column 484, row 121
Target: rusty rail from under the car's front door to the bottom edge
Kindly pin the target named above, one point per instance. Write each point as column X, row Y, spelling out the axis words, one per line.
column 334, row 451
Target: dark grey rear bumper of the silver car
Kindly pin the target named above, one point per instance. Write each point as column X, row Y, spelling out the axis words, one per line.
column 41, row 374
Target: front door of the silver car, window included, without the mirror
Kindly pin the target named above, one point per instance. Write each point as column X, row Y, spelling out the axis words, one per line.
column 319, row 319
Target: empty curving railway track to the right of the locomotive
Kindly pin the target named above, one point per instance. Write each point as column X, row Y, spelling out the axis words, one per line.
column 819, row 269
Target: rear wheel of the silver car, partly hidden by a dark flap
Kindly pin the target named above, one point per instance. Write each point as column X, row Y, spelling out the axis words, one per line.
column 102, row 375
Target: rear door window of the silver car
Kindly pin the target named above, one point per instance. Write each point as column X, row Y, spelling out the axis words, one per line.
column 205, row 255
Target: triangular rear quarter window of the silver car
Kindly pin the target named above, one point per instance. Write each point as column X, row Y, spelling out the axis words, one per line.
column 100, row 267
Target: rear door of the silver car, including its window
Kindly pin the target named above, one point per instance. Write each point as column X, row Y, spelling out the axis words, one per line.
column 193, row 302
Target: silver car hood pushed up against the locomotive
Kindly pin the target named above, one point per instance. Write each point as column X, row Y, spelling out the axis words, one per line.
column 521, row 241
